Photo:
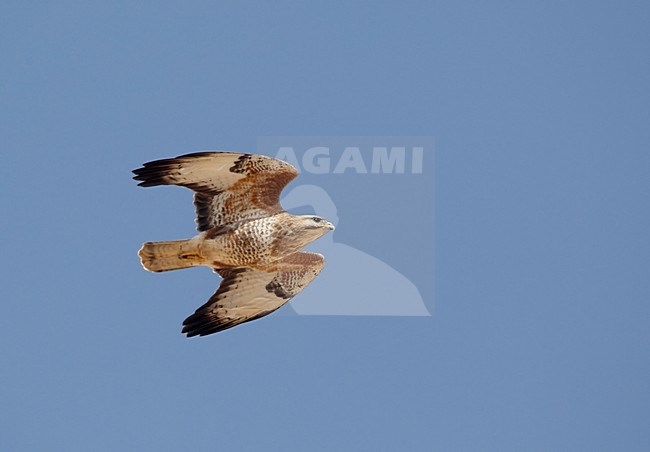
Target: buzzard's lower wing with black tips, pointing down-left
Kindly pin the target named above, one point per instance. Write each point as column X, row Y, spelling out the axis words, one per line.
column 247, row 294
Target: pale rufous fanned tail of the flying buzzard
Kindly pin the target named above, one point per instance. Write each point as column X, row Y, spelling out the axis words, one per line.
column 165, row 256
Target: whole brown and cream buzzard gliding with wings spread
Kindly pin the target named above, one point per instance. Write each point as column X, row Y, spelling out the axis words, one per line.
column 244, row 235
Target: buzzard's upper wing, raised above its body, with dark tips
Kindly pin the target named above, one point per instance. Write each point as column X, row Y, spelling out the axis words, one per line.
column 229, row 187
